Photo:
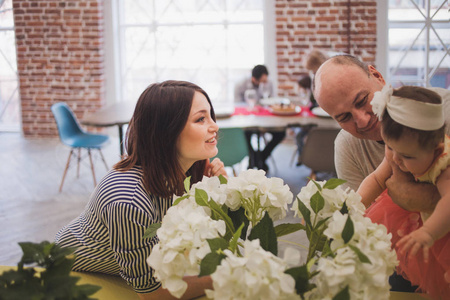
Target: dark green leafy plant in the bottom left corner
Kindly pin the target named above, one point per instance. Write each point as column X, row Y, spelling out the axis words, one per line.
column 54, row 282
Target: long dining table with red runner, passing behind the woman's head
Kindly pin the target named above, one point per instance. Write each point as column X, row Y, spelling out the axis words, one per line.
column 260, row 118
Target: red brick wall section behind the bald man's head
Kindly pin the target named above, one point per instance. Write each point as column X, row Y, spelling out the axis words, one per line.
column 303, row 25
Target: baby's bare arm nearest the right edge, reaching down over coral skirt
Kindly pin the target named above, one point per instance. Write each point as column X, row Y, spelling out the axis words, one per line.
column 437, row 225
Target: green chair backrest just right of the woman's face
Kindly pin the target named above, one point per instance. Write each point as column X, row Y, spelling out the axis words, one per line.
column 232, row 146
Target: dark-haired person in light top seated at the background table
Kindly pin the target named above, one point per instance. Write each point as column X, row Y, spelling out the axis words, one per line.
column 260, row 83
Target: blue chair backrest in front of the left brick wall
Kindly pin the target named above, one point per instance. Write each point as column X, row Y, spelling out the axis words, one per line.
column 66, row 121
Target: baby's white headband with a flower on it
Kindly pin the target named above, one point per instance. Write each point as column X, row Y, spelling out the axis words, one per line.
column 407, row 112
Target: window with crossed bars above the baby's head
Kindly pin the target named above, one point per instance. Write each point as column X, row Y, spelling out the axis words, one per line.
column 419, row 41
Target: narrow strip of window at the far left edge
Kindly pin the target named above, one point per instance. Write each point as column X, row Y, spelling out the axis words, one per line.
column 9, row 96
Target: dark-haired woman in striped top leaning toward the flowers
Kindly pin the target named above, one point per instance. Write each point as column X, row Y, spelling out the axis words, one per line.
column 171, row 135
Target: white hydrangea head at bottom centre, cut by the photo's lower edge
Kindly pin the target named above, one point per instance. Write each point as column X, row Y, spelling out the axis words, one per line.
column 257, row 275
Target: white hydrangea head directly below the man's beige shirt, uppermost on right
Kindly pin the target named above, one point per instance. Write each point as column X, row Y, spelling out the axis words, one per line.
column 334, row 200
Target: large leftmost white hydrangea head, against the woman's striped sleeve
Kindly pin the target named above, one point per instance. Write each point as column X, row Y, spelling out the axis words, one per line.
column 182, row 244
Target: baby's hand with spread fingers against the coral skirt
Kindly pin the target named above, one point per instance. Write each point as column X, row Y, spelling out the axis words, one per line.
column 415, row 241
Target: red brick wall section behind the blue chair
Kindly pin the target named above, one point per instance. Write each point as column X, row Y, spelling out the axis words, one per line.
column 59, row 58
